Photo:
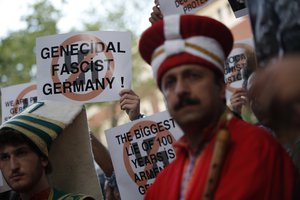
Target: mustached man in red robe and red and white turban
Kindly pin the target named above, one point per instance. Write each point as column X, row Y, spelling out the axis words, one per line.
column 220, row 156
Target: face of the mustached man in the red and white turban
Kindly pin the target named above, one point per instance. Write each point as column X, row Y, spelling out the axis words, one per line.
column 192, row 94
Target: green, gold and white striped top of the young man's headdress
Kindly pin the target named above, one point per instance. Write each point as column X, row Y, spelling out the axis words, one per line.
column 42, row 122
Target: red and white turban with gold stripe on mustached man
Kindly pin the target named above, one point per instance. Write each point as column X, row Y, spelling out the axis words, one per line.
column 185, row 39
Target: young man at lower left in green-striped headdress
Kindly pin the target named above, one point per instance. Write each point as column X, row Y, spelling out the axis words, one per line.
column 25, row 140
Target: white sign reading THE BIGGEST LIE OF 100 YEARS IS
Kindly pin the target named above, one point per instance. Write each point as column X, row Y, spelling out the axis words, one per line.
column 140, row 150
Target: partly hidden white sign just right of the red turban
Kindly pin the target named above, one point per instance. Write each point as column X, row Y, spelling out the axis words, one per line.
column 239, row 65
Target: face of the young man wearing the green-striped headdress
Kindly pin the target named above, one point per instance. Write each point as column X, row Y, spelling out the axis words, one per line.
column 21, row 167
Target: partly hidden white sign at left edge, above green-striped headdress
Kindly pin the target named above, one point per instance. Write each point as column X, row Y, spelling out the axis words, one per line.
column 16, row 98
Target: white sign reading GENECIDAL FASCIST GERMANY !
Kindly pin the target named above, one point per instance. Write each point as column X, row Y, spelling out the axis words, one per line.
column 83, row 67
